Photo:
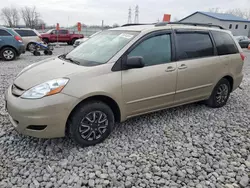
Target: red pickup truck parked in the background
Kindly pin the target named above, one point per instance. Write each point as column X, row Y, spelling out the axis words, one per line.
column 63, row 36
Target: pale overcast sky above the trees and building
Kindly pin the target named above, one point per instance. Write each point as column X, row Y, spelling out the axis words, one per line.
column 92, row 12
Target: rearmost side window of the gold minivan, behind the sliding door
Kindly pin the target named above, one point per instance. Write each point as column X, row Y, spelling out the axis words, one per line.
column 224, row 43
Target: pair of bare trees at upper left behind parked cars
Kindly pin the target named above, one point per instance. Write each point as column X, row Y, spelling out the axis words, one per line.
column 30, row 16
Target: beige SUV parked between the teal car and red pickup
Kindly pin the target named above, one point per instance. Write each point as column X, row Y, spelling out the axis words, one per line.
column 29, row 36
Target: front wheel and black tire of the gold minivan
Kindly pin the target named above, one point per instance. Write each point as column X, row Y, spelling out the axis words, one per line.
column 79, row 121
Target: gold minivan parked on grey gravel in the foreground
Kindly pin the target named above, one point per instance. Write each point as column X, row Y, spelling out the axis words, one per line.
column 121, row 73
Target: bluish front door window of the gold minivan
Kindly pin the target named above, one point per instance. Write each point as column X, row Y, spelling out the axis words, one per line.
column 155, row 50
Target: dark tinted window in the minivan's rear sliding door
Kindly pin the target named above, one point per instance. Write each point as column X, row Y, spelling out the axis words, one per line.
column 194, row 45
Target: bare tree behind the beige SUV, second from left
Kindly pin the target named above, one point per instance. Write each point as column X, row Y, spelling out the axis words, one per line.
column 30, row 16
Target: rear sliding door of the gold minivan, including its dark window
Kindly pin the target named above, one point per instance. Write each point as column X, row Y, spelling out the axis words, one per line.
column 197, row 66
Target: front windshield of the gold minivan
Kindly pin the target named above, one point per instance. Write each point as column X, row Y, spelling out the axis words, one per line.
column 100, row 48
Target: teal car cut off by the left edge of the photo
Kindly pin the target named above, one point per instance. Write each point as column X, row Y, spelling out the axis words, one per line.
column 11, row 44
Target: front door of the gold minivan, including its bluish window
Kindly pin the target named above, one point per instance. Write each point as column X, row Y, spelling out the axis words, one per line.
column 153, row 86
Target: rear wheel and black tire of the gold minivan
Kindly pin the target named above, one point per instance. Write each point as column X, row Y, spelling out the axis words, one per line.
column 220, row 94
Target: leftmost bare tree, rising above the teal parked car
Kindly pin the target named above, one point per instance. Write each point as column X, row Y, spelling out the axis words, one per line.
column 10, row 16
